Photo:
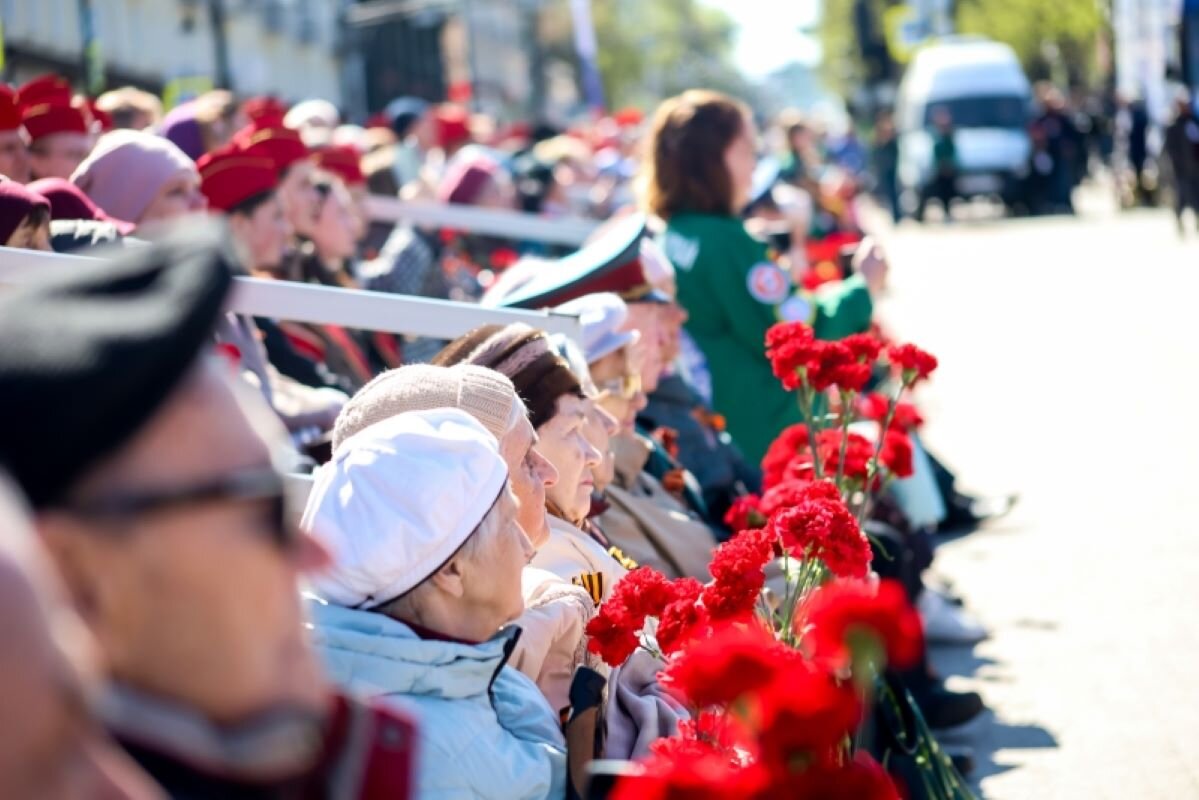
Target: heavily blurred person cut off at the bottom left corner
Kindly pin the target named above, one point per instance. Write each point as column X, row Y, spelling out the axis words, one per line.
column 49, row 673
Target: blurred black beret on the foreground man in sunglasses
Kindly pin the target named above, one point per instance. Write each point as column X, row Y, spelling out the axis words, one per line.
column 89, row 356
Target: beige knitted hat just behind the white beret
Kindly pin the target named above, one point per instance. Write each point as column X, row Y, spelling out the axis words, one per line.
column 484, row 394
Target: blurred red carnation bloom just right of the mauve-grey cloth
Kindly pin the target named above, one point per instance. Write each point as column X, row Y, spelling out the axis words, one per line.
column 733, row 663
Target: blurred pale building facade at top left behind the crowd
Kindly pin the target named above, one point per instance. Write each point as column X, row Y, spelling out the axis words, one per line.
column 286, row 47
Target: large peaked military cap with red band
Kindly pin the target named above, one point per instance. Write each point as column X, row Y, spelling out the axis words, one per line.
column 611, row 261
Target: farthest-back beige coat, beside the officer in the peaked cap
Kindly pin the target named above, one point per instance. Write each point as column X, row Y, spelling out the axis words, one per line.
column 649, row 525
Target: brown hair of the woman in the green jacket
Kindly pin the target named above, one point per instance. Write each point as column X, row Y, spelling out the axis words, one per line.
column 685, row 154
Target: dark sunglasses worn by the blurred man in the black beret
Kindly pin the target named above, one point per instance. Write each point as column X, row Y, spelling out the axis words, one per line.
column 260, row 484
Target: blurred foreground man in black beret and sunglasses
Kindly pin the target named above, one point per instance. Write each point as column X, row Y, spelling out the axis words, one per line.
column 159, row 500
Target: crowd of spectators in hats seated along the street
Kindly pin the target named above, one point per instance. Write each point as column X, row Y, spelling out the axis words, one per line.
column 256, row 558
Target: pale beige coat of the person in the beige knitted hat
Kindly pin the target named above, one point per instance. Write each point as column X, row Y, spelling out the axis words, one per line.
column 553, row 641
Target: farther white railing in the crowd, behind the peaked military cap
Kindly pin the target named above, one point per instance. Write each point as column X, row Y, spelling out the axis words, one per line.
column 509, row 225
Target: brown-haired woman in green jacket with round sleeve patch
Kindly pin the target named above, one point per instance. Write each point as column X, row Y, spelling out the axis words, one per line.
column 700, row 171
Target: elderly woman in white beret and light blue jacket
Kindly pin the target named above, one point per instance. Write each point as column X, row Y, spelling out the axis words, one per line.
column 421, row 522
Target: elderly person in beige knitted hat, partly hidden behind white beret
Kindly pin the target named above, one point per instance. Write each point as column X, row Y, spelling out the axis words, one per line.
column 556, row 615
